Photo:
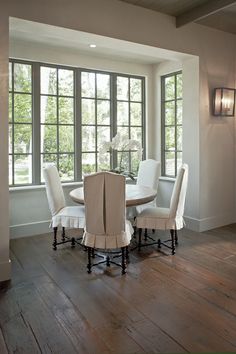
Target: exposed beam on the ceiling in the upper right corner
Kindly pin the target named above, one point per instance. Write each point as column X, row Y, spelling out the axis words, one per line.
column 201, row 11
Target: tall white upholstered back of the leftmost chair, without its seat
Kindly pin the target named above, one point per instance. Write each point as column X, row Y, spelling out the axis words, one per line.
column 55, row 195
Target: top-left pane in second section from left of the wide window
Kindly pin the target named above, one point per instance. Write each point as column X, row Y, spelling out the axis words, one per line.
column 48, row 80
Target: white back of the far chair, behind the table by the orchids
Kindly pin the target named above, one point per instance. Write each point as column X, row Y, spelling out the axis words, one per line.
column 148, row 173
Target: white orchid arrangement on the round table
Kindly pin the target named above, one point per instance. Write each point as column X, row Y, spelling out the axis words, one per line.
column 122, row 144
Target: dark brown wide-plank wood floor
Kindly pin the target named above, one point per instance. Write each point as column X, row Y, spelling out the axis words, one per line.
column 165, row 304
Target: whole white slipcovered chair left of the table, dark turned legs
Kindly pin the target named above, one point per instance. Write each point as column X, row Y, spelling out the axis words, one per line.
column 62, row 215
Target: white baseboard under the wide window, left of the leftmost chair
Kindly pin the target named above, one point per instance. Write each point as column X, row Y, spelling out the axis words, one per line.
column 24, row 230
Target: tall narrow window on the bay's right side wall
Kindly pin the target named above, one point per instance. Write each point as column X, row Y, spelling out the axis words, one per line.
column 171, row 123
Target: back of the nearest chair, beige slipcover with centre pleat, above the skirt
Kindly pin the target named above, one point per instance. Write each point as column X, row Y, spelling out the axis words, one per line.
column 104, row 196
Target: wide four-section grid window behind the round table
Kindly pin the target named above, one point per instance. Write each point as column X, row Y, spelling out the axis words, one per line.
column 62, row 115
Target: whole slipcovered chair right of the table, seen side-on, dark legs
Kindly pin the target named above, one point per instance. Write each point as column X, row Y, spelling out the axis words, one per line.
column 166, row 218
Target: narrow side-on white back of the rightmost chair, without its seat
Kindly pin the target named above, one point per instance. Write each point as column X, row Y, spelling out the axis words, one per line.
column 179, row 192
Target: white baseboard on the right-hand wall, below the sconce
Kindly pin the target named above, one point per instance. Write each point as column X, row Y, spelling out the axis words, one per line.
column 201, row 225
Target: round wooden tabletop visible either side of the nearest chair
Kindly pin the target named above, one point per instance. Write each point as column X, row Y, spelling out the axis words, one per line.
column 135, row 195
